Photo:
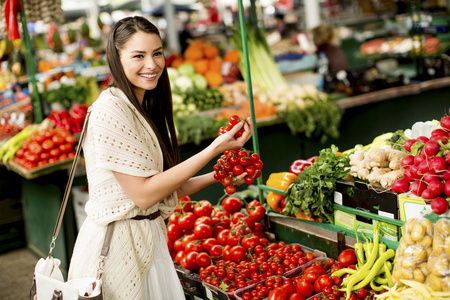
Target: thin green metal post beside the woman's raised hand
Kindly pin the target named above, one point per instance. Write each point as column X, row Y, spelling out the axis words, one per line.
column 249, row 87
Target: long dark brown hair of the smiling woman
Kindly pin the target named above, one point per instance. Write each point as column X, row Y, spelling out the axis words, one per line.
column 157, row 104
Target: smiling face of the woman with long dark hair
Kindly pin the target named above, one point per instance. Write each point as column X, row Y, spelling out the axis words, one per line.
column 143, row 62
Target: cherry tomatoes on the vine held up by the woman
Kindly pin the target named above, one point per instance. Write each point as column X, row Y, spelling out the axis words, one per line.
column 235, row 162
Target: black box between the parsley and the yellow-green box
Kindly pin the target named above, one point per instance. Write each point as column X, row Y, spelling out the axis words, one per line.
column 358, row 195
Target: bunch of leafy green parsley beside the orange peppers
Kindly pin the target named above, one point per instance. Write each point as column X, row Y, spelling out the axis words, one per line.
column 313, row 189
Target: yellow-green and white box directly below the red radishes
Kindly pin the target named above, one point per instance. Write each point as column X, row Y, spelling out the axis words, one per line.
column 412, row 206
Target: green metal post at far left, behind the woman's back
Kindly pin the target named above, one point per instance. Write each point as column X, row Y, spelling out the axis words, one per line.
column 35, row 99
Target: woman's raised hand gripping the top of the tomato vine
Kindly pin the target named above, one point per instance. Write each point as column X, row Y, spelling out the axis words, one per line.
column 227, row 140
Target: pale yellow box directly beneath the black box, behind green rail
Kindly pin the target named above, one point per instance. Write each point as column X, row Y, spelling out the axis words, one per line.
column 350, row 221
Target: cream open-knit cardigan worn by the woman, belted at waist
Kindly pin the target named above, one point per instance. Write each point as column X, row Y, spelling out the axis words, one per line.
column 118, row 139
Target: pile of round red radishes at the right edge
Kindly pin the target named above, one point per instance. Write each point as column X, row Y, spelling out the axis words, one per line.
column 427, row 168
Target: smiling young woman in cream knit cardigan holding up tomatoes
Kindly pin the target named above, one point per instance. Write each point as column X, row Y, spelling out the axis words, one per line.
column 133, row 170
